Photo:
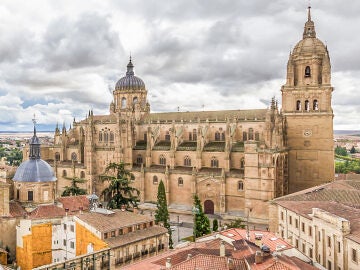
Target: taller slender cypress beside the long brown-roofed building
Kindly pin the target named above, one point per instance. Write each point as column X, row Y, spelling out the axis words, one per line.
column 162, row 213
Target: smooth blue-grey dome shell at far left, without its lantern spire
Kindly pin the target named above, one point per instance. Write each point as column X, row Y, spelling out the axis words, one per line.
column 34, row 170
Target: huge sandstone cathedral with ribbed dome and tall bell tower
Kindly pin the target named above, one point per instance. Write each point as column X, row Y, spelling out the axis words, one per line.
column 235, row 160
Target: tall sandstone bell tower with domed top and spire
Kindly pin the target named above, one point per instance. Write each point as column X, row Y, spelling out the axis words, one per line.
column 306, row 104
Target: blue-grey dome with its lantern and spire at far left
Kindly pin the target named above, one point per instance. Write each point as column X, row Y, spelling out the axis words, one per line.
column 35, row 169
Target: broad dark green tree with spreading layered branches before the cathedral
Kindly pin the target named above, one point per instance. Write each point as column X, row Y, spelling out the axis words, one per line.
column 120, row 192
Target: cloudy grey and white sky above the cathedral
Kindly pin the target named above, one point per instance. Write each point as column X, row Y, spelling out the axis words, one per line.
column 58, row 59
